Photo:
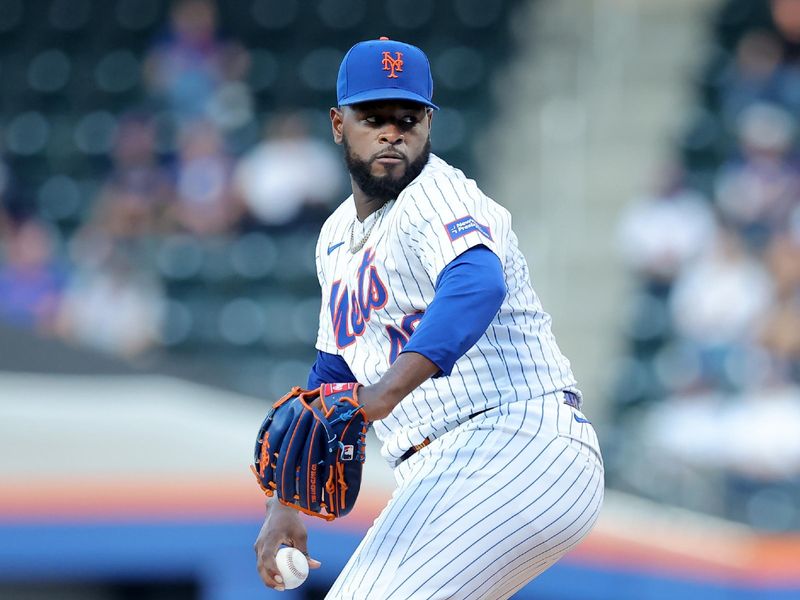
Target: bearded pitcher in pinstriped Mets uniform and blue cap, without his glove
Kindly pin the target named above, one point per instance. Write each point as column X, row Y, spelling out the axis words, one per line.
column 427, row 301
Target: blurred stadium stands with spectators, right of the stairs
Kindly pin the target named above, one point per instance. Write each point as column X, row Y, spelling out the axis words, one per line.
column 708, row 398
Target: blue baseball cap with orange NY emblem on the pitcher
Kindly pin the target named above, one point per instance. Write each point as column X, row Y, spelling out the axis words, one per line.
column 384, row 69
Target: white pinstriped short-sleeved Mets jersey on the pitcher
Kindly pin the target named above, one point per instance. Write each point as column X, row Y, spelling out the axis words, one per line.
column 372, row 300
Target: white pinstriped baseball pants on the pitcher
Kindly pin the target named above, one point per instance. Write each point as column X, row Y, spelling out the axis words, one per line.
column 483, row 509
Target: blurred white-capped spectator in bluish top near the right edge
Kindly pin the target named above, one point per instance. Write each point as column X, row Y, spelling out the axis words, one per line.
column 757, row 193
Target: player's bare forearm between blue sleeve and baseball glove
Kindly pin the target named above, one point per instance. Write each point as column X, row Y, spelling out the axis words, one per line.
column 404, row 376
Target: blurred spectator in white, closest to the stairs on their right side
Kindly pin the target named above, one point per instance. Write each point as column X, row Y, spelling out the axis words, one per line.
column 661, row 233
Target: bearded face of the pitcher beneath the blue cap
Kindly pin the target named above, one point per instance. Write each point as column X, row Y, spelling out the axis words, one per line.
column 386, row 144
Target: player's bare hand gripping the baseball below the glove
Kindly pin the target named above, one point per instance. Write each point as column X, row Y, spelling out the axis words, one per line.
column 282, row 526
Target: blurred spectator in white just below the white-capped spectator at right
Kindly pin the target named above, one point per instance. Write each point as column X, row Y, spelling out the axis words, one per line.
column 717, row 302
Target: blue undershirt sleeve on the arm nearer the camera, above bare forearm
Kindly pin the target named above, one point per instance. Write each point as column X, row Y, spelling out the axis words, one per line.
column 469, row 293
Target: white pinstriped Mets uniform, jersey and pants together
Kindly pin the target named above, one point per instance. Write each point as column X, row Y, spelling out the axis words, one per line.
column 497, row 497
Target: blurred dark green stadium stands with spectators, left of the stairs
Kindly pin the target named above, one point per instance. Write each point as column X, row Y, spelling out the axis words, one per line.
column 166, row 166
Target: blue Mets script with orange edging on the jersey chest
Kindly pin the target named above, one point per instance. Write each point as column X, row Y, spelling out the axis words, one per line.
column 351, row 311
